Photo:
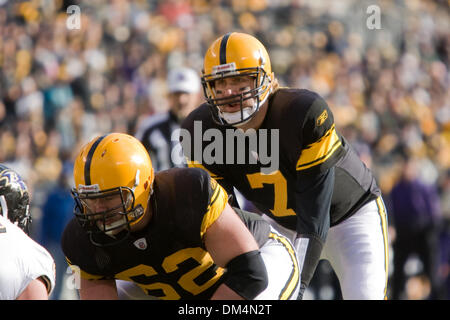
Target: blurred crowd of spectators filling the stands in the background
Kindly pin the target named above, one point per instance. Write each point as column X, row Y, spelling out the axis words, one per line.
column 387, row 87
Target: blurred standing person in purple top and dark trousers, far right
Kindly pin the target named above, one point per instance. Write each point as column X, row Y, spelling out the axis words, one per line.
column 416, row 214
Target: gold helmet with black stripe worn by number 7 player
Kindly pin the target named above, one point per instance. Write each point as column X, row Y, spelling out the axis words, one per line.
column 232, row 55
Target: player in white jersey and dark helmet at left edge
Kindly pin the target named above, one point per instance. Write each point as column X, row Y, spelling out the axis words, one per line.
column 27, row 270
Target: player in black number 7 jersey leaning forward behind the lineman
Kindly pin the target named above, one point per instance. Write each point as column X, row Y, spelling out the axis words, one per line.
column 314, row 188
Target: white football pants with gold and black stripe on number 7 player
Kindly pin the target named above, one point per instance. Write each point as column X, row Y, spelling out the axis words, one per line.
column 357, row 250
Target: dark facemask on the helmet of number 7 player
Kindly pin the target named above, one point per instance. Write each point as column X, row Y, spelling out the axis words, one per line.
column 259, row 92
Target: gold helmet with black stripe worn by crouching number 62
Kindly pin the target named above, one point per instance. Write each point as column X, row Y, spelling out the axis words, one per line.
column 113, row 166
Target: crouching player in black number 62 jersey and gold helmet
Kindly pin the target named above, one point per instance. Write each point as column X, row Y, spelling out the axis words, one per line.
column 173, row 233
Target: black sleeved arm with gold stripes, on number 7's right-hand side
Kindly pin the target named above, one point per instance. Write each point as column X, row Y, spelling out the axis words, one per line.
column 321, row 148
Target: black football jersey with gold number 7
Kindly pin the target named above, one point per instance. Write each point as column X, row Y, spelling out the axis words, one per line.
column 298, row 128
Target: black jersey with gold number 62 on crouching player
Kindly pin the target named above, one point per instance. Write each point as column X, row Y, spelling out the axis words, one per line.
column 168, row 259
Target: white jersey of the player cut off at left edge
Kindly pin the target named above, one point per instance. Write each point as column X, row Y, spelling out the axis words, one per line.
column 21, row 261
